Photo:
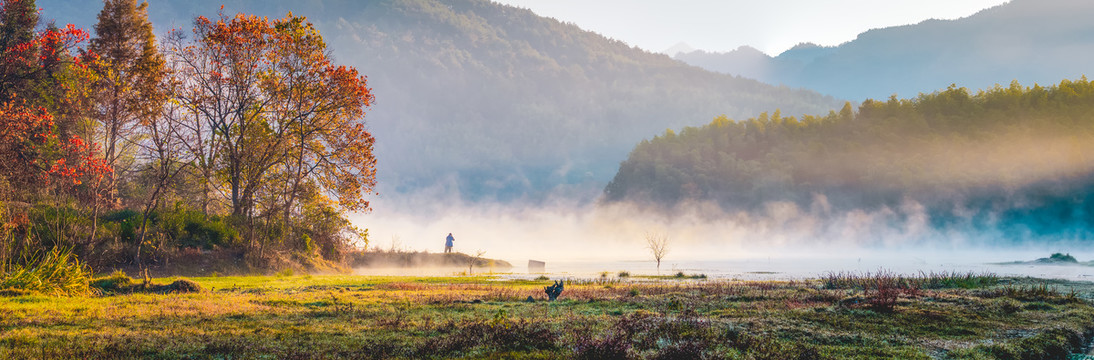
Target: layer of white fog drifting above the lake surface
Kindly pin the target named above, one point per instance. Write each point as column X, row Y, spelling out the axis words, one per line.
column 697, row 231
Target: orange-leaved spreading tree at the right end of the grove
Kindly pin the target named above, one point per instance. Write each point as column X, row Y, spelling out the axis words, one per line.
column 267, row 99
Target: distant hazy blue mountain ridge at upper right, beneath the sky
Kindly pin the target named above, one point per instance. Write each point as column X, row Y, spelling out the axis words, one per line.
column 1029, row 41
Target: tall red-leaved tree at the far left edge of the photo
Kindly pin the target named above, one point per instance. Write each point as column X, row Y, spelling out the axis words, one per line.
column 40, row 83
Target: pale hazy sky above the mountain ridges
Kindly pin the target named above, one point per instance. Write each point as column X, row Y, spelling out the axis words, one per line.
column 723, row 26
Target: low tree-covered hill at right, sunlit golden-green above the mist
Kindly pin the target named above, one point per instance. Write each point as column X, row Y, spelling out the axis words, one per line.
column 1012, row 157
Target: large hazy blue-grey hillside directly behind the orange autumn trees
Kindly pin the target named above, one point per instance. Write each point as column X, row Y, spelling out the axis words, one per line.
column 494, row 102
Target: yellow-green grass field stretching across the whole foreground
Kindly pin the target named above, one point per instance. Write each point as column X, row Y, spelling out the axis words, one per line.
column 843, row 317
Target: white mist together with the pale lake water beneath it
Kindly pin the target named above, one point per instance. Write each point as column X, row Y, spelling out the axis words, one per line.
column 782, row 242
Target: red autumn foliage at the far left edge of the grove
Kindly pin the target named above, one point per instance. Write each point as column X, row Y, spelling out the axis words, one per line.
column 33, row 156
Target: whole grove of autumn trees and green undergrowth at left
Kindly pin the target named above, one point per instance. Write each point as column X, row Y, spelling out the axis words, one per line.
column 207, row 147
